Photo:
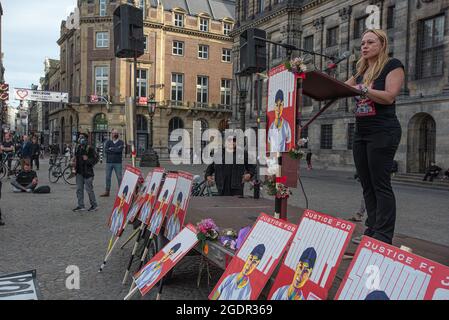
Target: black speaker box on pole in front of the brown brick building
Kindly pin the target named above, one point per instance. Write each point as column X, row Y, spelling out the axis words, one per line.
column 128, row 32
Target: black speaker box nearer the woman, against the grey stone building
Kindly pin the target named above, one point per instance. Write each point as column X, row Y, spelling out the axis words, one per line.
column 253, row 51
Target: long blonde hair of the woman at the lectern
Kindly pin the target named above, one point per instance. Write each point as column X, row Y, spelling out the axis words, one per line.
column 382, row 59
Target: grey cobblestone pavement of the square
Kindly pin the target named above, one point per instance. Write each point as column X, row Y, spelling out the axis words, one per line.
column 43, row 233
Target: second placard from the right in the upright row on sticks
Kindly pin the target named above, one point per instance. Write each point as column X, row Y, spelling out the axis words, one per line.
column 163, row 203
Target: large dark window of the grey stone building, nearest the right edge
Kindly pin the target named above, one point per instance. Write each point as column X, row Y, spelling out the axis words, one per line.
column 430, row 55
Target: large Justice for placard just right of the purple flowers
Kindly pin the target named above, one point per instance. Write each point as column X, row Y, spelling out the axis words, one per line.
column 253, row 265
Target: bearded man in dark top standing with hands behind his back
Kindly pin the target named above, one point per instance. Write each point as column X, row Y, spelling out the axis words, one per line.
column 114, row 160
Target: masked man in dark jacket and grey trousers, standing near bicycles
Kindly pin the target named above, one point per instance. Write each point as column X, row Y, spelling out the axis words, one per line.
column 85, row 160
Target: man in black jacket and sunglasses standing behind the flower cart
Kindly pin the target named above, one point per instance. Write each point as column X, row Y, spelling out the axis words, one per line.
column 230, row 178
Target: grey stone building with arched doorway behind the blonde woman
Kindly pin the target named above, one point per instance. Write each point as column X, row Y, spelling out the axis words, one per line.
column 419, row 36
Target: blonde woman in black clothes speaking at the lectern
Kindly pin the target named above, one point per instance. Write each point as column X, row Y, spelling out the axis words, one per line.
column 378, row 131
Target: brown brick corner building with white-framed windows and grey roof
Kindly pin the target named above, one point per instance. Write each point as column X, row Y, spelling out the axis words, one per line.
column 186, row 66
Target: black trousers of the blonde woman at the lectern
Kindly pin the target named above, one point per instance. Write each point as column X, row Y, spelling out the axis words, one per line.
column 373, row 156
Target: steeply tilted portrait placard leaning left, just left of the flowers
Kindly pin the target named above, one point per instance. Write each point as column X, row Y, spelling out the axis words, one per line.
column 166, row 259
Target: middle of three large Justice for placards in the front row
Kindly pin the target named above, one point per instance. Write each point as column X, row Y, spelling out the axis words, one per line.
column 312, row 261
